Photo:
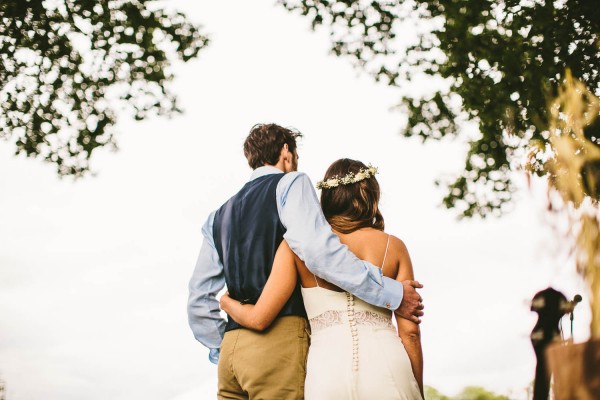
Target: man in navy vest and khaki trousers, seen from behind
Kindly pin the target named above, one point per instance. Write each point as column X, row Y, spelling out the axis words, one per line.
column 240, row 241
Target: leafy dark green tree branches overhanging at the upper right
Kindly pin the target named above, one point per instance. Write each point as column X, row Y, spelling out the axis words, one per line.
column 498, row 64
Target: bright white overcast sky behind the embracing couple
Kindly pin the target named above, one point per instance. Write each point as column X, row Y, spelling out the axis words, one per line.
column 94, row 272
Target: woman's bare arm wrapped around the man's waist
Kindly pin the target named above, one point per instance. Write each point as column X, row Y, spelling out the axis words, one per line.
column 277, row 291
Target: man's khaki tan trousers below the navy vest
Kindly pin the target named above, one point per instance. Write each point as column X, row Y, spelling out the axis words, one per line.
column 268, row 365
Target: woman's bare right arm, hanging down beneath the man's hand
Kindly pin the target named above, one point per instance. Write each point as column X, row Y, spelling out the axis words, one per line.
column 407, row 330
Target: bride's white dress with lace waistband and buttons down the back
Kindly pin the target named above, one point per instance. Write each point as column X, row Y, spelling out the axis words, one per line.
column 355, row 352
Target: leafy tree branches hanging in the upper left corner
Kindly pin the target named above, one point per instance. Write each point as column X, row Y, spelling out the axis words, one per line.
column 67, row 67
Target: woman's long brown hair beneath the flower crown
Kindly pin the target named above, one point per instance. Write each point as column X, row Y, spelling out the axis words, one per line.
column 348, row 208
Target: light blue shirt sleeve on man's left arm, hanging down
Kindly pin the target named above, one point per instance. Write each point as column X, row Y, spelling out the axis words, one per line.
column 204, row 314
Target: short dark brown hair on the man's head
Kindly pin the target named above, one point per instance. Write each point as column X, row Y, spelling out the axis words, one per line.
column 265, row 141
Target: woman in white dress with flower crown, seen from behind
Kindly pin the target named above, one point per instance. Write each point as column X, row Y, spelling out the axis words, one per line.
column 355, row 351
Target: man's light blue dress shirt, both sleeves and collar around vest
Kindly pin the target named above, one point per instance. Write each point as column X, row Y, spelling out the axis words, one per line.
column 309, row 235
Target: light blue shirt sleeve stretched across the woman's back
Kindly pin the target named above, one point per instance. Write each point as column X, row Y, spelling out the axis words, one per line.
column 310, row 236
